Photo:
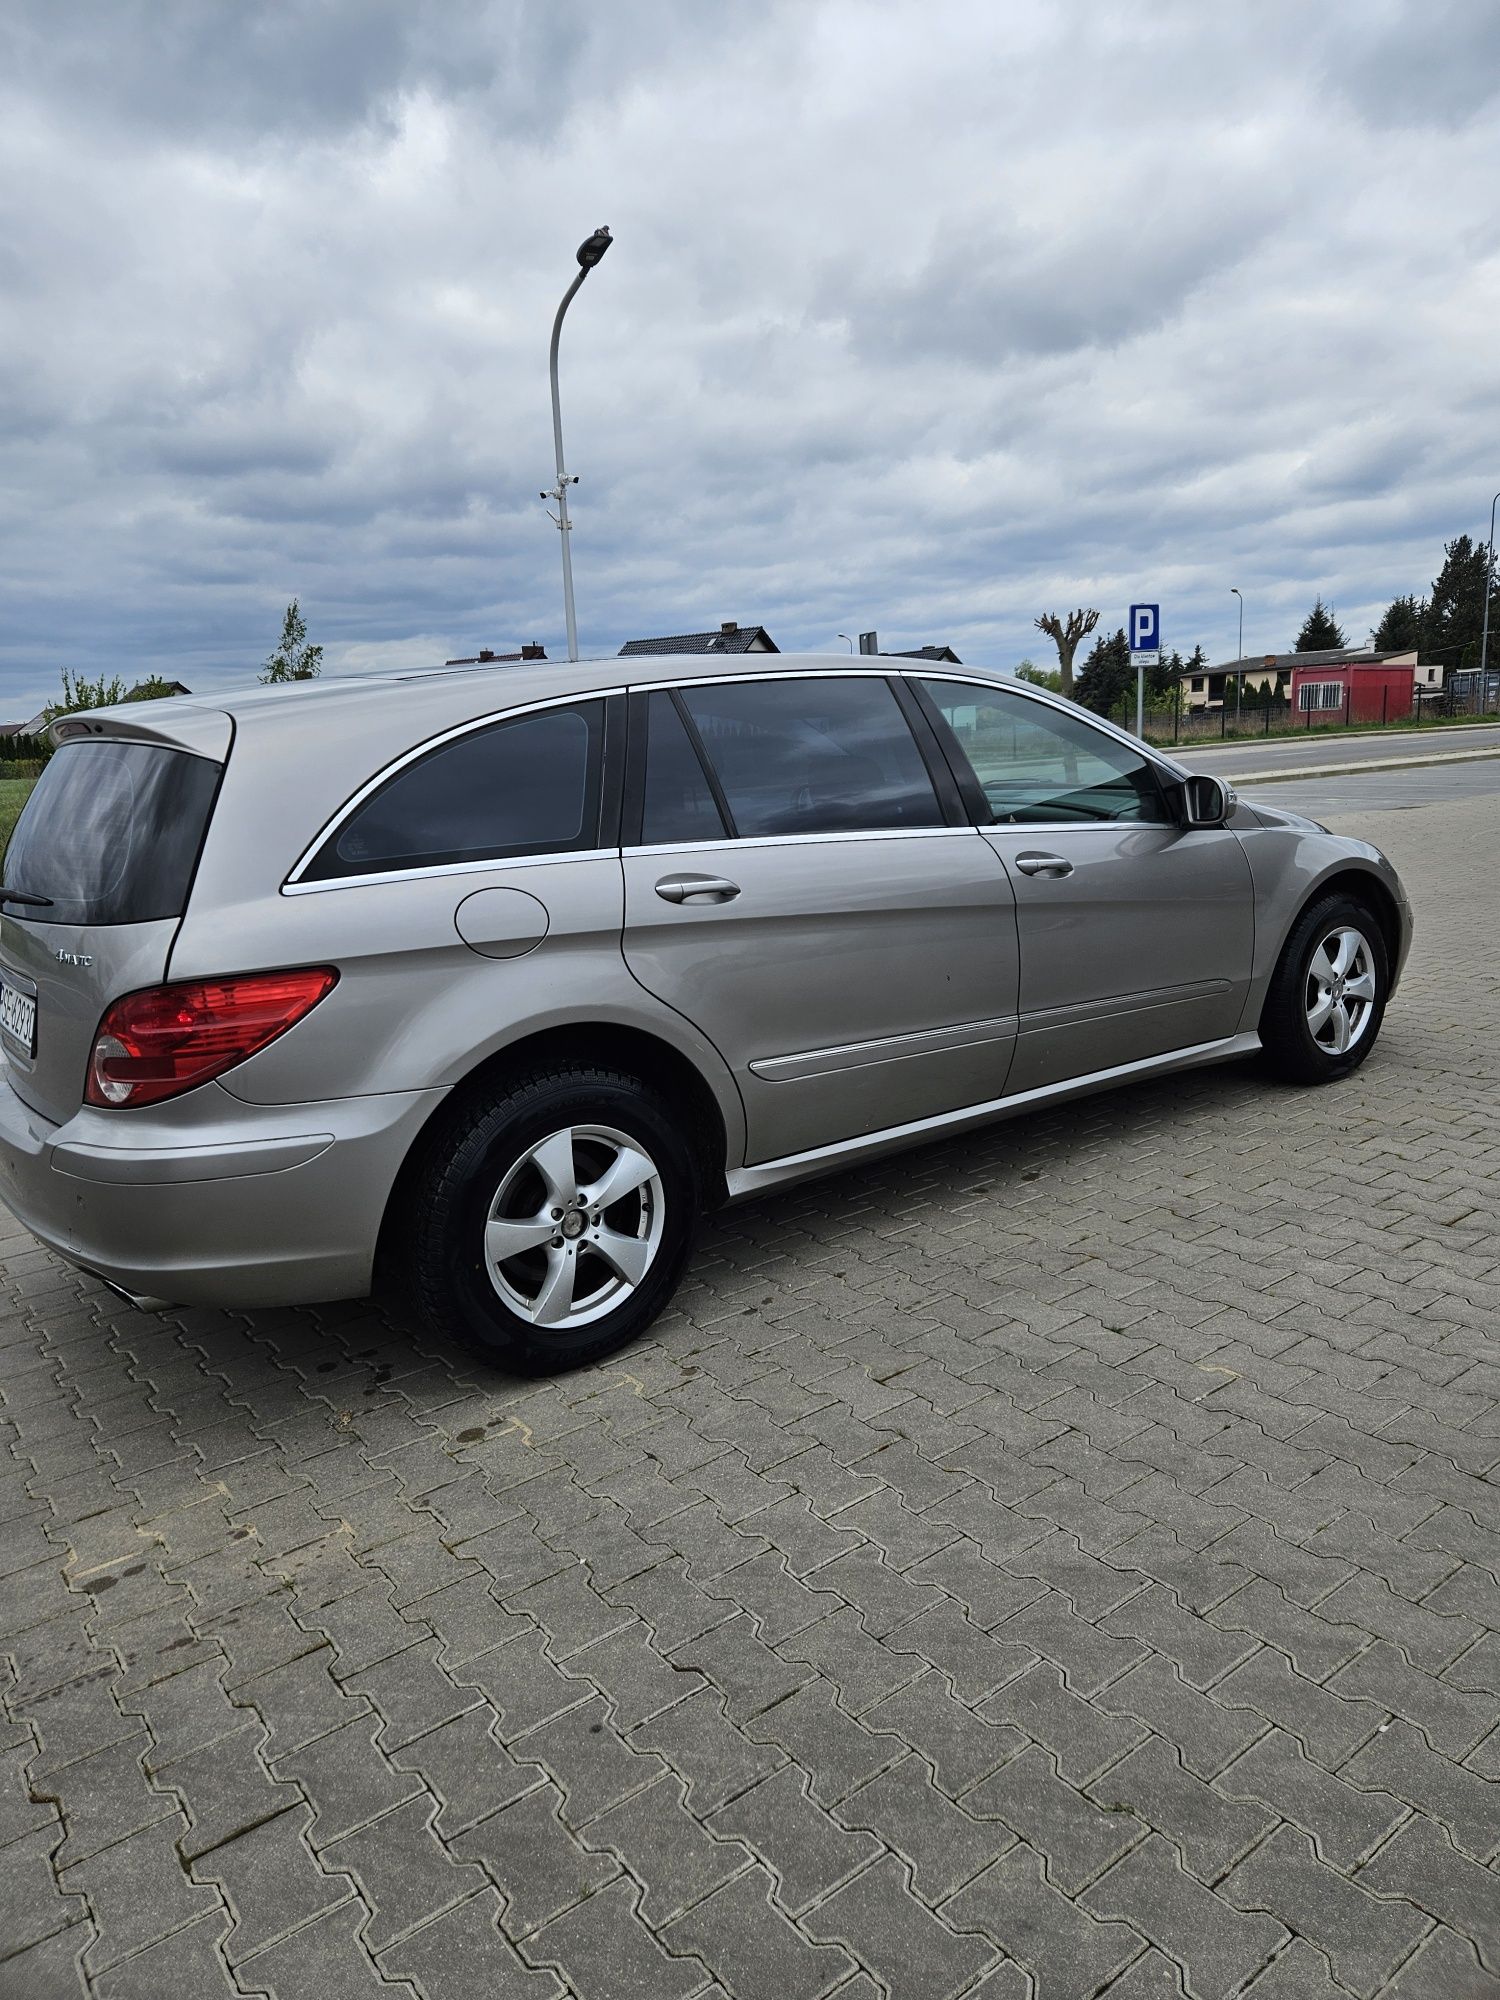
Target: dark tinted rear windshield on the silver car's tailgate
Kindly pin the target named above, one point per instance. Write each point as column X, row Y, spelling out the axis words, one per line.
column 111, row 835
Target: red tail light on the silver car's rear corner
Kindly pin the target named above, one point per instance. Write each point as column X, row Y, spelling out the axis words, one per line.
column 167, row 1039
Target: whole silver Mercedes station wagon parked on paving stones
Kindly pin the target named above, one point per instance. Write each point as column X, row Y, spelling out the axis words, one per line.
column 493, row 983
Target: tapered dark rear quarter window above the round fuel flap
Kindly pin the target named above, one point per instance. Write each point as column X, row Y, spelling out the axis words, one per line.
column 521, row 787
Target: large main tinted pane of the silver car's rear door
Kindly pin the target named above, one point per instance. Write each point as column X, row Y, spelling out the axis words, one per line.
column 813, row 757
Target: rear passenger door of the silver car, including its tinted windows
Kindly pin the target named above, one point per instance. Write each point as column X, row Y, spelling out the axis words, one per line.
column 801, row 885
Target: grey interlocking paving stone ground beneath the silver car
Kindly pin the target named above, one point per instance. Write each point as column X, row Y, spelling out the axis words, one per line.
column 1055, row 1563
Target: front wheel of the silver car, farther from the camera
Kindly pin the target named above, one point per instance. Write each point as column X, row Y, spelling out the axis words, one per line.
column 1329, row 993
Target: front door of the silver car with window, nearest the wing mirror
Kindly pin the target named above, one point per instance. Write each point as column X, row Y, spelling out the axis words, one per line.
column 1137, row 935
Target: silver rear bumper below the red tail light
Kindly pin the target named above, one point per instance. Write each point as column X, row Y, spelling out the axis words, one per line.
column 213, row 1201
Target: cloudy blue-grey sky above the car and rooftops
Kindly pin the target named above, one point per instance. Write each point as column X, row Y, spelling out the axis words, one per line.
column 921, row 317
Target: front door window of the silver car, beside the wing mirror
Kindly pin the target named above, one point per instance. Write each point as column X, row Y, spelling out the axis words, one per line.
column 1039, row 765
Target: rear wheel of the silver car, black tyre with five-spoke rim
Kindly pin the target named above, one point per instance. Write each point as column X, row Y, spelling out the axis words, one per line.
column 507, row 1255
